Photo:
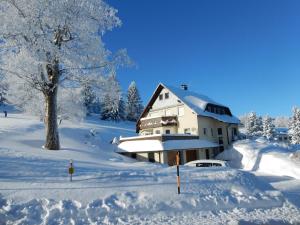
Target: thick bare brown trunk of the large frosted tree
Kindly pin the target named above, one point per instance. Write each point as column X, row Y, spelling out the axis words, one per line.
column 52, row 137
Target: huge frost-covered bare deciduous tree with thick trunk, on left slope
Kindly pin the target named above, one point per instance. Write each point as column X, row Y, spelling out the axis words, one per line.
column 51, row 43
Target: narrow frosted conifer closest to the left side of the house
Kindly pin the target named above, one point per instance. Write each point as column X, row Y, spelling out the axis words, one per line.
column 134, row 106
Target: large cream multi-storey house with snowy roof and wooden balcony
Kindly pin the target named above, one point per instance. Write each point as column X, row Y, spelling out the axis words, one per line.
column 176, row 119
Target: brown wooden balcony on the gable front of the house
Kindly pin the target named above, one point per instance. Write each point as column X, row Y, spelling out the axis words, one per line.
column 149, row 123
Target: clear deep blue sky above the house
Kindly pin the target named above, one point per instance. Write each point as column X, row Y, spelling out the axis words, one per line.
column 245, row 54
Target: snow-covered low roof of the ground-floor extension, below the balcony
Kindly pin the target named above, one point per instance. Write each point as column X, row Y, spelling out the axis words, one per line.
column 157, row 145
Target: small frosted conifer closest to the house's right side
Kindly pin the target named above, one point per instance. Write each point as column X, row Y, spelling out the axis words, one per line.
column 253, row 125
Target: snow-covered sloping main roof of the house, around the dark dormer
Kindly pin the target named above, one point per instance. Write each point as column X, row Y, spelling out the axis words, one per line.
column 198, row 102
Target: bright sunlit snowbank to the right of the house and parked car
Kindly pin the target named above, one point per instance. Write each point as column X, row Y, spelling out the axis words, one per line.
column 264, row 156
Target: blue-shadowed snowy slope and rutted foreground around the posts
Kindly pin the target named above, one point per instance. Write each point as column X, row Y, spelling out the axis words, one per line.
column 108, row 188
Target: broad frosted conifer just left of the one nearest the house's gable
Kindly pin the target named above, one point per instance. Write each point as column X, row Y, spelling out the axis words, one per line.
column 112, row 106
